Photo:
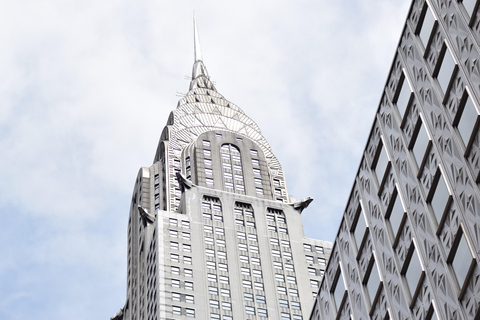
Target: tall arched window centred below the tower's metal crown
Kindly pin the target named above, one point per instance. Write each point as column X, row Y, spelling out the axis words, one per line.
column 232, row 168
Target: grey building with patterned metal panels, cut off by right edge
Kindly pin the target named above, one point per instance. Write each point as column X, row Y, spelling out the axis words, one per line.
column 409, row 240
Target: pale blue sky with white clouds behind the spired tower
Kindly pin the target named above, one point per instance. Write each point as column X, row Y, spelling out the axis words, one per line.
column 86, row 88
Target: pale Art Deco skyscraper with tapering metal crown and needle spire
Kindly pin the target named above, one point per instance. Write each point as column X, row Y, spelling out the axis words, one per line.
column 212, row 232
